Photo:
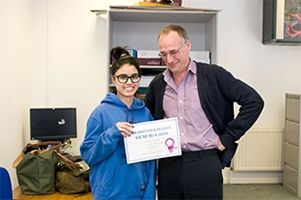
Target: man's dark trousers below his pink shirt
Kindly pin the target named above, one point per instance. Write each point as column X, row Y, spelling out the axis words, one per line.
column 194, row 175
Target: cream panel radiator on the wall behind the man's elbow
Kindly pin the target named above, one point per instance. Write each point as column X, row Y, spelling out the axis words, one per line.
column 259, row 150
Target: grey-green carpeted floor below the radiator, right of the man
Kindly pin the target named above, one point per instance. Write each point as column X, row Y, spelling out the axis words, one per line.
column 257, row 192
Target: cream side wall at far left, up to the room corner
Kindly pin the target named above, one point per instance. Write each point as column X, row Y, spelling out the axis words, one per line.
column 16, row 86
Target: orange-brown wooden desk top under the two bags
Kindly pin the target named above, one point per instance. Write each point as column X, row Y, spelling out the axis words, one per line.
column 17, row 194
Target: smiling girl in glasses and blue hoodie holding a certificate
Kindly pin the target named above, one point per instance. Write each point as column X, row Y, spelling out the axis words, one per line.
column 103, row 146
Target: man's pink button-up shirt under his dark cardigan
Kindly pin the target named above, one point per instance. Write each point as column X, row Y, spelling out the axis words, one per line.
column 183, row 102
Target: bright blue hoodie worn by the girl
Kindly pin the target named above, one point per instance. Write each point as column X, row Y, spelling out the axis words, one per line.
column 103, row 149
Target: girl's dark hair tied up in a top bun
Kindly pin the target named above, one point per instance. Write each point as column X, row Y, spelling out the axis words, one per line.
column 120, row 56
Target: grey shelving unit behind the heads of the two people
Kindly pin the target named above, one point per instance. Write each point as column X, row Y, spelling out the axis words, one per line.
column 138, row 27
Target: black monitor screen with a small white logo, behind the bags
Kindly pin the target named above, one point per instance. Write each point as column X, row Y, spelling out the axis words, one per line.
column 52, row 124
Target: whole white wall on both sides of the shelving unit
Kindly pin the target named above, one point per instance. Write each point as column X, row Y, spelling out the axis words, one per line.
column 53, row 54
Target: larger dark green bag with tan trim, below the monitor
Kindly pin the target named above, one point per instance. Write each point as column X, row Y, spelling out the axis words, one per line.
column 36, row 168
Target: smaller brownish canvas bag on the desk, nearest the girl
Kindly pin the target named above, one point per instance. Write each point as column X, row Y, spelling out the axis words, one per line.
column 72, row 177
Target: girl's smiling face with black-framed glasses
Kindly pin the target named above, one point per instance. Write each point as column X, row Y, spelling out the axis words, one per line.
column 126, row 80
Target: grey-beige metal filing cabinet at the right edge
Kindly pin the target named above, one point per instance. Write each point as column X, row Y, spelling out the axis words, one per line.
column 292, row 151
